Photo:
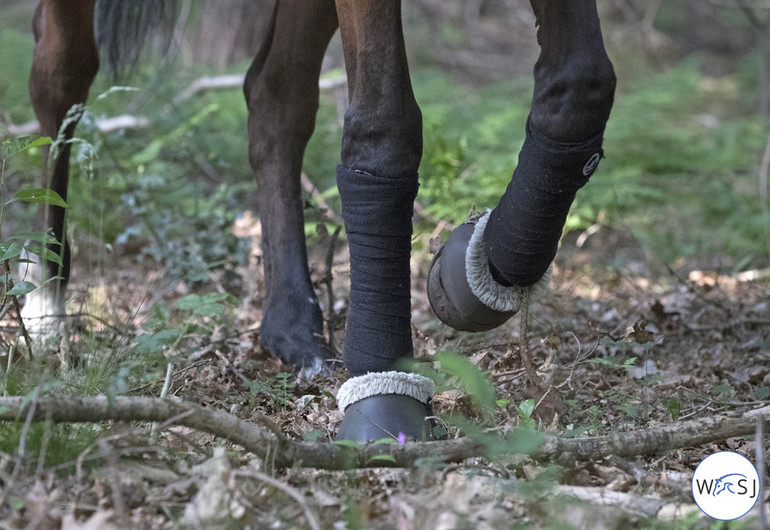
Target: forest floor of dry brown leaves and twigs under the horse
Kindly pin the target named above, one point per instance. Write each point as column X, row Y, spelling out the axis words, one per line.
column 621, row 342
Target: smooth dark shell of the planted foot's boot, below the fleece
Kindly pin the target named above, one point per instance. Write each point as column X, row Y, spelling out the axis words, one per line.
column 389, row 416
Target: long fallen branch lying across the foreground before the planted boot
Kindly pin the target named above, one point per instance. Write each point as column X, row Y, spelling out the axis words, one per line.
column 286, row 452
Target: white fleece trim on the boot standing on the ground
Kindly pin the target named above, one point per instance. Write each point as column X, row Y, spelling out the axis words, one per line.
column 361, row 387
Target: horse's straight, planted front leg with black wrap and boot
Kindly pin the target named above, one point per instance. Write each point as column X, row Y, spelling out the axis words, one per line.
column 377, row 181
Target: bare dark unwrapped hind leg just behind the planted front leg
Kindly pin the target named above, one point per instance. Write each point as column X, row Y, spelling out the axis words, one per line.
column 282, row 95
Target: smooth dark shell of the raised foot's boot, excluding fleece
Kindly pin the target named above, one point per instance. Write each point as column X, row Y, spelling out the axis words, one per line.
column 450, row 295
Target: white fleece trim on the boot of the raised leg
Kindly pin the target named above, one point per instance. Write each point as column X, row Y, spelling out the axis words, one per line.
column 484, row 286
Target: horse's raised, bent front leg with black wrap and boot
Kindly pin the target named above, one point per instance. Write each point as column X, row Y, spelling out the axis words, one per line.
column 489, row 267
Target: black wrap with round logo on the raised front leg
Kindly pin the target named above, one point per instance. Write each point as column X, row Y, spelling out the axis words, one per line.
column 523, row 231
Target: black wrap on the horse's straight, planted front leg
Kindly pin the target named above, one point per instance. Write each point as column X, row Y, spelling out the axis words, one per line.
column 378, row 220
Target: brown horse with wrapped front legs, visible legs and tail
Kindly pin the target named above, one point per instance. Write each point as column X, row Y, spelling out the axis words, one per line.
column 489, row 266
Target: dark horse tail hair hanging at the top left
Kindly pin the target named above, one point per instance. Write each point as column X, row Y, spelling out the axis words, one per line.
column 123, row 27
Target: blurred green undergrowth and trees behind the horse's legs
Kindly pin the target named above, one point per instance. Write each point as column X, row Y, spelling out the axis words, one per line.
column 684, row 146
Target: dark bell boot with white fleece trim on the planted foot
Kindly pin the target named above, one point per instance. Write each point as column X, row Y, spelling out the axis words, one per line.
column 381, row 405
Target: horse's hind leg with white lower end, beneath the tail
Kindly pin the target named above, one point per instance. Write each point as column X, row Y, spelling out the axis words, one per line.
column 64, row 65
